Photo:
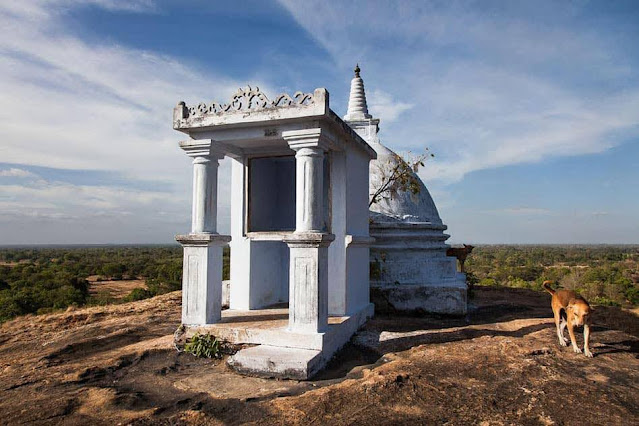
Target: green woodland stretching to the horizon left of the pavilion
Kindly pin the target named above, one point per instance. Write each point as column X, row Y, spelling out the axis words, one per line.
column 37, row 280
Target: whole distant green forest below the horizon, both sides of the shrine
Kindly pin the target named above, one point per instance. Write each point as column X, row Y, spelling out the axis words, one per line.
column 40, row 280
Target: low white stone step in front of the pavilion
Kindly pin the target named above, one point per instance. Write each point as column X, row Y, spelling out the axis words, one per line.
column 278, row 362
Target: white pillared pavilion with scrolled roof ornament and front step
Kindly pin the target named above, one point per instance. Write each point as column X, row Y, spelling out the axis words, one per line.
column 299, row 220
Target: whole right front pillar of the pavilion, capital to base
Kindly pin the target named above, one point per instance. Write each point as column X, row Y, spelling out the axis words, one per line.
column 308, row 273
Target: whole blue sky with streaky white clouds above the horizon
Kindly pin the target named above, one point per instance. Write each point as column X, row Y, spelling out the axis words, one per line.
column 531, row 108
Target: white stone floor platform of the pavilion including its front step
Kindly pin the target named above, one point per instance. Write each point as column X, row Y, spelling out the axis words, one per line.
column 281, row 353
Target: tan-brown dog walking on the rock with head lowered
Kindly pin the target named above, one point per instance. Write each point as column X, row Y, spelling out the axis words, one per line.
column 577, row 313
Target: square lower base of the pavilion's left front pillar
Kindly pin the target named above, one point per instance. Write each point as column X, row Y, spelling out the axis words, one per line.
column 202, row 277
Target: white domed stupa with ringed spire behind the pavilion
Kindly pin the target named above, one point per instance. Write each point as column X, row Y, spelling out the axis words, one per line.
column 409, row 267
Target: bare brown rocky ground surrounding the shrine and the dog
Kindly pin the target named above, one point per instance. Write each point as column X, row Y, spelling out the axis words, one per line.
column 501, row 365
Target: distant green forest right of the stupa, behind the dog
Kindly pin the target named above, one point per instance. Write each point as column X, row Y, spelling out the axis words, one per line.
column 606, row 275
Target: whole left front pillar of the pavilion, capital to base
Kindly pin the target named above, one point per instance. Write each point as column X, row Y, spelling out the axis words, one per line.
column 202, row 264
